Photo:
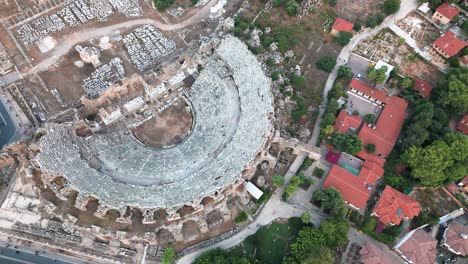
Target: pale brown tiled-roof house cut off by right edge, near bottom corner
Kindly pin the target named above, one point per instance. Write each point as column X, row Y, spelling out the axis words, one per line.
column 455, row 239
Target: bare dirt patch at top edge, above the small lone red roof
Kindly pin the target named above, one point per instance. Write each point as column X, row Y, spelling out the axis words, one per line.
column 357, row 10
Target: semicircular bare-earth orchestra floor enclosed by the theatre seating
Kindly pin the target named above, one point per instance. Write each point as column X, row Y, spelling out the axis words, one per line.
column 167, row 128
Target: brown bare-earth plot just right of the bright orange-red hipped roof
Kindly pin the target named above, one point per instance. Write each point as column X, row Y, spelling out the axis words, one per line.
column 435, row 200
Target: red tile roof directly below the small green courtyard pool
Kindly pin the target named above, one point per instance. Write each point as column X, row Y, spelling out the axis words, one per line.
column 353, row 188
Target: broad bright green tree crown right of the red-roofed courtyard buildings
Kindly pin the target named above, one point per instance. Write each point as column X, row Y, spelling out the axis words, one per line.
column 428, row 163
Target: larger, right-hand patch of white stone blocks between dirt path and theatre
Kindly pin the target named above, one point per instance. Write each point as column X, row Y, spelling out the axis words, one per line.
column 146, row 45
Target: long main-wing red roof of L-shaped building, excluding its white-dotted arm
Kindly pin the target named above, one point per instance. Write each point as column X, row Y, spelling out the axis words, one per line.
column 387, row 128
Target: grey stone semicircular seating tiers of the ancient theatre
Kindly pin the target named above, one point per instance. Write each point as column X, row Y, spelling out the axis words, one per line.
column 231, row 103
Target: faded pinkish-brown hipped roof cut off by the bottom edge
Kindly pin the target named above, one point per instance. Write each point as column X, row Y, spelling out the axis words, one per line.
column 420, row 248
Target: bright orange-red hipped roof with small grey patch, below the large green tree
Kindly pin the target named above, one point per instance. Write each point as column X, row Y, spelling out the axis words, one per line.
column 393, row 206
